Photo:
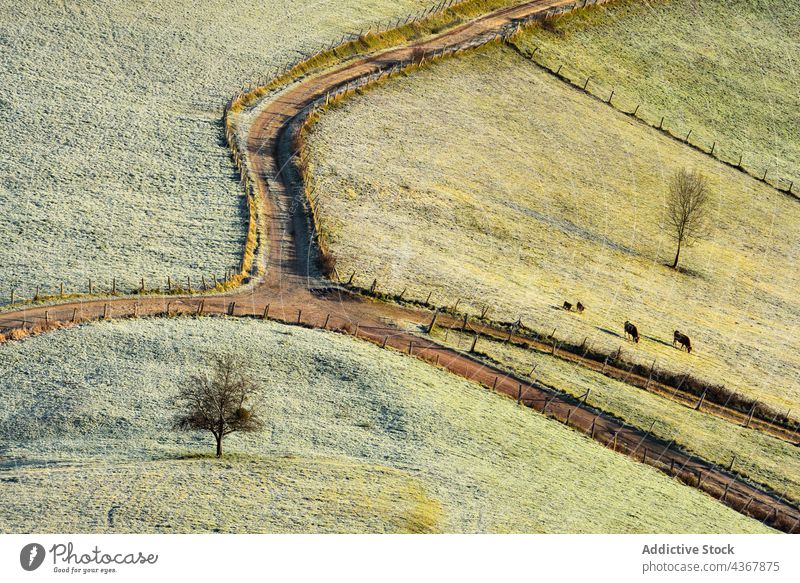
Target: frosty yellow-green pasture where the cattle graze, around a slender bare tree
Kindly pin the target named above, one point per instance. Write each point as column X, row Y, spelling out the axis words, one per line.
column 512, row 190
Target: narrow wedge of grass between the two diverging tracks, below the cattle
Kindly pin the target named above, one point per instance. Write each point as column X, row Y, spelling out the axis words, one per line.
column 760, row 458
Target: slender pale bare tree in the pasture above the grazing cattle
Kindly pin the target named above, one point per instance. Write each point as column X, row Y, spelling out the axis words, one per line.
column 687, row 210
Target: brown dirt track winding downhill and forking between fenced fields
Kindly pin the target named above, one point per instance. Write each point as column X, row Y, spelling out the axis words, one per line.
column 293, row 290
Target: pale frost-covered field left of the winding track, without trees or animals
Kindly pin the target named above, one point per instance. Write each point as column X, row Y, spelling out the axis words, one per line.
column 113, row 162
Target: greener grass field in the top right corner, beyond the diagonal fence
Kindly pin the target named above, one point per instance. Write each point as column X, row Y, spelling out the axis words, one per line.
column 725, row 69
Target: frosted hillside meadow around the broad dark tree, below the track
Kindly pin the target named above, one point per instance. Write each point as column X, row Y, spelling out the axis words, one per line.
column 357, row 439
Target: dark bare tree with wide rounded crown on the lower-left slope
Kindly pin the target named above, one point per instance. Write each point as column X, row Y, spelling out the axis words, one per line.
column 224, row 402
